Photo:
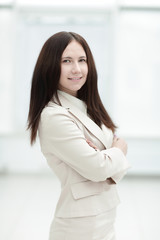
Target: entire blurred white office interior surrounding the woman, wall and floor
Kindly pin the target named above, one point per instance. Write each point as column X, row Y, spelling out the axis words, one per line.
column 124, row 37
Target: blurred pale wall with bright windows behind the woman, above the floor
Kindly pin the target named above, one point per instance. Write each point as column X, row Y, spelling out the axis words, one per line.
column 125, row 44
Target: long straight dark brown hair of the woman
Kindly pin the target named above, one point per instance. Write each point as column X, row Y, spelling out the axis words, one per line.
column 46, row 78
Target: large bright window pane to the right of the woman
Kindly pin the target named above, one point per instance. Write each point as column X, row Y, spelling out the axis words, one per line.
column 137, row 82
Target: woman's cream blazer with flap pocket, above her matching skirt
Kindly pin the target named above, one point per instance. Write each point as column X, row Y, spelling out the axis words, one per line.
column 85, row 174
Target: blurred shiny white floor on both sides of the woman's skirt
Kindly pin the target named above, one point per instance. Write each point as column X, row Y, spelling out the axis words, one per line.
column 27, row 204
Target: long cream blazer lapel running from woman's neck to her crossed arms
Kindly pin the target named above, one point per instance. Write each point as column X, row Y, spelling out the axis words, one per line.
column 84, row 119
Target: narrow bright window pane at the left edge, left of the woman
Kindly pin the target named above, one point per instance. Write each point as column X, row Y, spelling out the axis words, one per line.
column 6, row 70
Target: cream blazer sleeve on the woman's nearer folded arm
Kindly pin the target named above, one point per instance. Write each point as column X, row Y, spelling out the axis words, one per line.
column 61, row 137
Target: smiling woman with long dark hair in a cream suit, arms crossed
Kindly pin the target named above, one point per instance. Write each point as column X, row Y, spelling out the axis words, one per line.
column 77, row 138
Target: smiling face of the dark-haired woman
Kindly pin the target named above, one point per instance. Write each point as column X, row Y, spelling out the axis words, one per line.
column 74, row 68
